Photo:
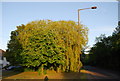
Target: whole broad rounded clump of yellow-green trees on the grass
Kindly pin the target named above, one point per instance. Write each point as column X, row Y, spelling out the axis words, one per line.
column 47, row 44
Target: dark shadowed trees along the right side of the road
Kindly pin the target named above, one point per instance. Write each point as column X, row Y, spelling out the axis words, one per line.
column 105, row 53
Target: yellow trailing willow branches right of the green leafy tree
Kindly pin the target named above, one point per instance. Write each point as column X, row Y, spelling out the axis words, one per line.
column 74, row 38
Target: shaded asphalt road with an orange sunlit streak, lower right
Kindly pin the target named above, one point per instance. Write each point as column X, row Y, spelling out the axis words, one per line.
column 97, row 73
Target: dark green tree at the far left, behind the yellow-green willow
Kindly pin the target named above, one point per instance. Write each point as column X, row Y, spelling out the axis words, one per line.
column 14, row 49
